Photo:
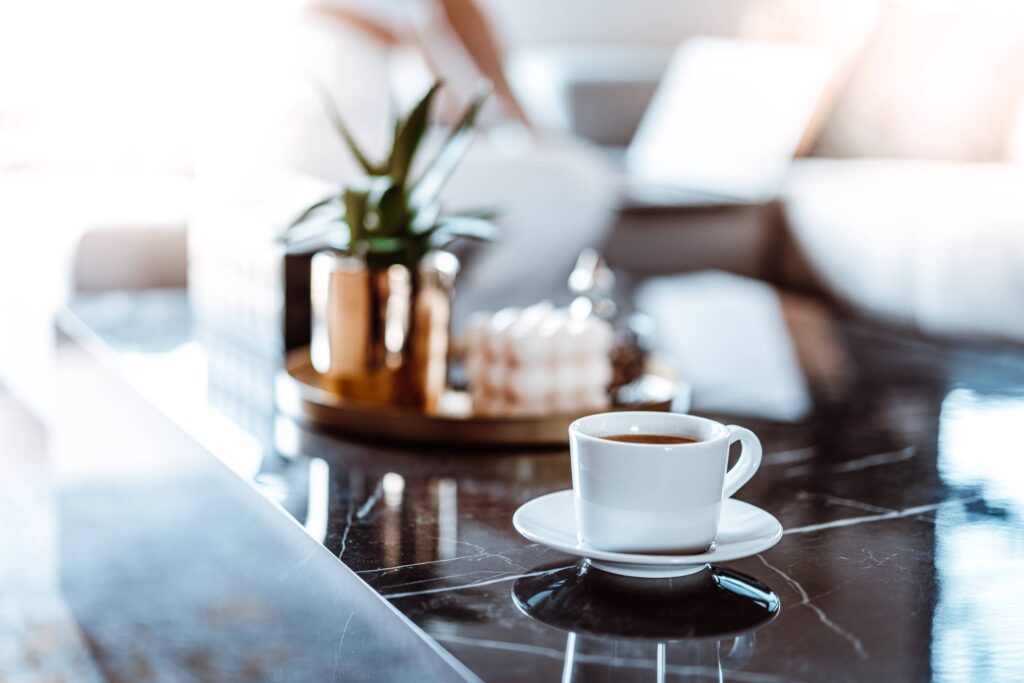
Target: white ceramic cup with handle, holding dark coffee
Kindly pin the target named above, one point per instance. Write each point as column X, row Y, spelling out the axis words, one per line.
column 655, row 498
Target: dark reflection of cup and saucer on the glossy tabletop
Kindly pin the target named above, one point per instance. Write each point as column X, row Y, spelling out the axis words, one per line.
column 680, row 629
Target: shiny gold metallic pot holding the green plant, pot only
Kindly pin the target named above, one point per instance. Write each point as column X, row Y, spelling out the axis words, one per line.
column 380, row 334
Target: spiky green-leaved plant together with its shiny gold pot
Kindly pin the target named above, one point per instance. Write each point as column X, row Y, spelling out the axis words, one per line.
column 382, row 286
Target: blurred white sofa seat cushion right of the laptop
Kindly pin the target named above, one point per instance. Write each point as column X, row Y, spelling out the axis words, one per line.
column 938, row 246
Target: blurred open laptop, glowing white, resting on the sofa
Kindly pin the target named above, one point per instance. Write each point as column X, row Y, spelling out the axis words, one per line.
column 724, row 123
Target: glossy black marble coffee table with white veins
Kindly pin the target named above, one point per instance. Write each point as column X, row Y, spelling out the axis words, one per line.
column 902, row 493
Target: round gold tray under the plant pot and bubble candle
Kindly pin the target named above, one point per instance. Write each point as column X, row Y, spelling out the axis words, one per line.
column 303, row 394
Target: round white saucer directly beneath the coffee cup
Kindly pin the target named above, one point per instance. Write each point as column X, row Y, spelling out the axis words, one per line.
column 745, row 531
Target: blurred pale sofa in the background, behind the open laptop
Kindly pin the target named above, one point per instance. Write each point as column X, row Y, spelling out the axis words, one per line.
column 907, row 201
